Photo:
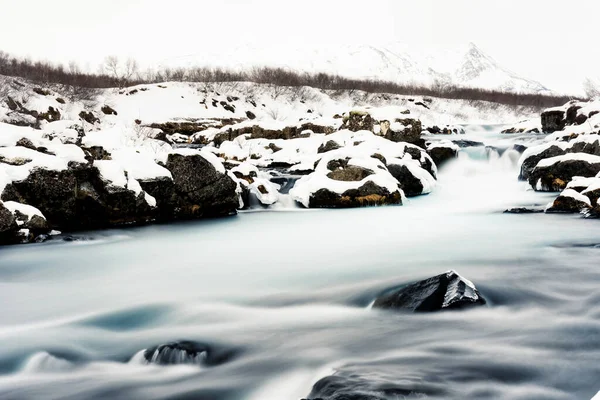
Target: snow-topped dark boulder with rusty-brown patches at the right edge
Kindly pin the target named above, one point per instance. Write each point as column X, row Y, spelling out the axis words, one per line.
column 553, row 174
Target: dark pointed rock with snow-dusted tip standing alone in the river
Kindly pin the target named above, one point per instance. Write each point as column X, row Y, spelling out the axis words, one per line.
column 445, row 291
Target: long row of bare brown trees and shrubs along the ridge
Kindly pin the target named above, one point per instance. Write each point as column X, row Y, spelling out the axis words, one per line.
column 117, row 73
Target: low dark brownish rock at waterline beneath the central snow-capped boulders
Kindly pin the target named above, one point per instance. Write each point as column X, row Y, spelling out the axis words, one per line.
column 369, row 194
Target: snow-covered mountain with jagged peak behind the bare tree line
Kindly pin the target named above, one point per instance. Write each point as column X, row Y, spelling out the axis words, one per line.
column 468, row 66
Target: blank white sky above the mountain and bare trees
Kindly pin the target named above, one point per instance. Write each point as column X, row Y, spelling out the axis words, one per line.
column 553, row 41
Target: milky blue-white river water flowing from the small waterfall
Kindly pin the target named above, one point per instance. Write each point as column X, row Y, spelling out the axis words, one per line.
column 281, row 300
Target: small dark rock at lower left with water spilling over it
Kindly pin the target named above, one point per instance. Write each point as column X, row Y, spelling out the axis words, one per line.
column 188, row 352
